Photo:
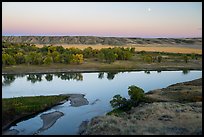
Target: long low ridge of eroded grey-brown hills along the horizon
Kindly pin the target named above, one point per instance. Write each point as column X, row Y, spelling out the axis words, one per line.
column 92, row 40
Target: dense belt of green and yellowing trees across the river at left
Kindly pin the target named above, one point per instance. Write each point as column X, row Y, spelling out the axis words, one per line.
column 30, row 54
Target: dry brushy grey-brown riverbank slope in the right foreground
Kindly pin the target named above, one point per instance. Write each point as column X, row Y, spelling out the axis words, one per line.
column 175, row 110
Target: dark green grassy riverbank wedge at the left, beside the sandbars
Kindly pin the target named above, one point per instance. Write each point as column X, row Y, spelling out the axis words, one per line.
column 16, row 109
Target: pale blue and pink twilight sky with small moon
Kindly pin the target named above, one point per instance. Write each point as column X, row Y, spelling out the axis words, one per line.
column 106, row 19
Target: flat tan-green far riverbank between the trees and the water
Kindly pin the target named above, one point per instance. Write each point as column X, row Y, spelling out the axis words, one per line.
column 90, row 65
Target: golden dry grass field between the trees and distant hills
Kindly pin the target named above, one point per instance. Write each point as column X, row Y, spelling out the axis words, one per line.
column 154, row 48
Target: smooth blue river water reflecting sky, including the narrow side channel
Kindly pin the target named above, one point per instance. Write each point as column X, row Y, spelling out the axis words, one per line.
column 94, row 88
